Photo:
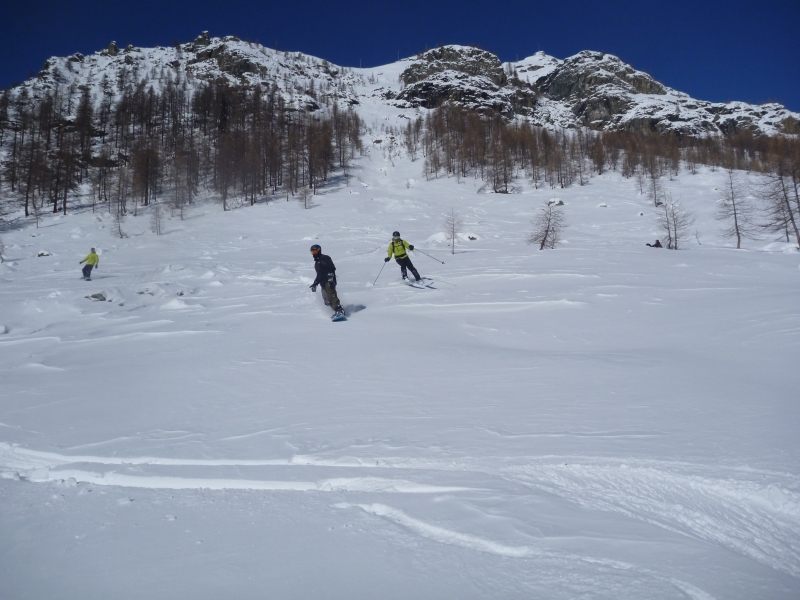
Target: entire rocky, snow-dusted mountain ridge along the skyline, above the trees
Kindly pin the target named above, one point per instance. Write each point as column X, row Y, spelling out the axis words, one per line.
column 590, row 89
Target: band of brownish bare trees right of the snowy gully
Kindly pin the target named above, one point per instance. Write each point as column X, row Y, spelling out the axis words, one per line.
column 454, row 141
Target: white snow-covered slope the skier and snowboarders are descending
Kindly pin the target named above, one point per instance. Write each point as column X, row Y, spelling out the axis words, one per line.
column 602, row 420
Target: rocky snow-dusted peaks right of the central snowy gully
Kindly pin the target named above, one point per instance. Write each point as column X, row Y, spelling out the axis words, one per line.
column 591, row 89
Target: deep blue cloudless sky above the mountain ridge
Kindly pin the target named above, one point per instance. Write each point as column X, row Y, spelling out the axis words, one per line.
column 713, row 50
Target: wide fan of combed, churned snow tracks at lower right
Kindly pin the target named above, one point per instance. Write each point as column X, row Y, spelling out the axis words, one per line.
column 748, row 512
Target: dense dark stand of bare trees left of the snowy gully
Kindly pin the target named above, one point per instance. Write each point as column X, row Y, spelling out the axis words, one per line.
column 144, row 146
